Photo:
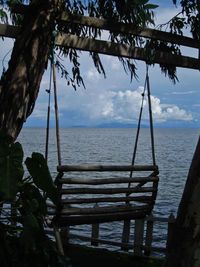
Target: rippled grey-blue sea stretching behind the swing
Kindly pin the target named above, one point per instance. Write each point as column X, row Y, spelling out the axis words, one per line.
column 174, row 149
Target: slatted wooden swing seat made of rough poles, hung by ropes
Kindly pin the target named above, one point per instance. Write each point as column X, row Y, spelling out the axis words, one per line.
column 101, row 198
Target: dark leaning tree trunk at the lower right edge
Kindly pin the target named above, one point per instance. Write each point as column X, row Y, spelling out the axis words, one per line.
column 184, row 242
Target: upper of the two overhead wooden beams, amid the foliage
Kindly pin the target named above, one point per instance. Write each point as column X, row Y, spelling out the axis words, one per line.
column 130, row 29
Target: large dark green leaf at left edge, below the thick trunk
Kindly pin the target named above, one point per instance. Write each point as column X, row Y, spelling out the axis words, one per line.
column 11, row 168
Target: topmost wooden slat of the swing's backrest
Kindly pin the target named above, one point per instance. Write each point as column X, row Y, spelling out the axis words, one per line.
column 105, row 168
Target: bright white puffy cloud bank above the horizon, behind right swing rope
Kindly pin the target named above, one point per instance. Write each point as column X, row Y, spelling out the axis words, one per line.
column 124, row 106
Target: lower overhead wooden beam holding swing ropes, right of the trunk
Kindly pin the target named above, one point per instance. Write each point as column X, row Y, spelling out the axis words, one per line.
column 114, row 49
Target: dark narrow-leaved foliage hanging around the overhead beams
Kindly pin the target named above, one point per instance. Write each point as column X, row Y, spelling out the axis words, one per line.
column 138, row 12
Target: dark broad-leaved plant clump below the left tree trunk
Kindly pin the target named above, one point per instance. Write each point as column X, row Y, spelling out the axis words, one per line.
column 22, row 236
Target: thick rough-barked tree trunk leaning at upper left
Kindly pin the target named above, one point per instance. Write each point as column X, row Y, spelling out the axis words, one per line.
column 20, row 84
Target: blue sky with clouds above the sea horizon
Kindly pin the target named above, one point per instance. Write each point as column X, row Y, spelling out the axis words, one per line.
column 116, row 100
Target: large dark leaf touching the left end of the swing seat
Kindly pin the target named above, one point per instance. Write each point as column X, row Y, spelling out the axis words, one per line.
column 39, row 171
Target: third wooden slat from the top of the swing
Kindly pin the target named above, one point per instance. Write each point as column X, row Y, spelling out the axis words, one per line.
column 106, row 190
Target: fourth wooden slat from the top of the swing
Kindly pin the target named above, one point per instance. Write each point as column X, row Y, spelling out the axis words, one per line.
column 144, row 199
